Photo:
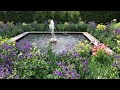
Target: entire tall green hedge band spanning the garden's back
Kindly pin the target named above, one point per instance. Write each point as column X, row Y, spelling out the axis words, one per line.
column 59, row 16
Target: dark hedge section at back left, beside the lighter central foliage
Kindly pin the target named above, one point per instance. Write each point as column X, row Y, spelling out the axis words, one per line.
column 16, row 16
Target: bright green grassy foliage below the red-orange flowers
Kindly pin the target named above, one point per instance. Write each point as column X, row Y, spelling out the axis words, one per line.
column 100, row 71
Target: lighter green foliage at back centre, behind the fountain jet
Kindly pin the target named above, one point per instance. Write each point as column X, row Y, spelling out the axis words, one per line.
column 59, row 16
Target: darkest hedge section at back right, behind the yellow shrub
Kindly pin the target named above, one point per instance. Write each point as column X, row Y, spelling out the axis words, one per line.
column 100, row 16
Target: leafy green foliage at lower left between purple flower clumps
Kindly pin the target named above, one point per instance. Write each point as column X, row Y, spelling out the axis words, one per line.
column 31, row 69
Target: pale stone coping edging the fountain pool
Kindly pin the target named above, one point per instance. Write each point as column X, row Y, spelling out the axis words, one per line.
column 86, row 34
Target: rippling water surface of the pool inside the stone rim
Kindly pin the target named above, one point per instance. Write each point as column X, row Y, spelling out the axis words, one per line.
column 64, row 40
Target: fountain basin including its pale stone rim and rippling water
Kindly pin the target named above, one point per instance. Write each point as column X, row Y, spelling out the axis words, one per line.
column 62, row 39
